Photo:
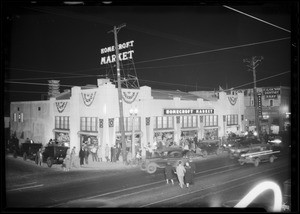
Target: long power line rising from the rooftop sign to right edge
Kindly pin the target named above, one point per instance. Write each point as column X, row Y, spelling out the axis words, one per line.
column 215, row 50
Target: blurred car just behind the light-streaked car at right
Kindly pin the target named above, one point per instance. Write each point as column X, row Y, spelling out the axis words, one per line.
column 244, row 146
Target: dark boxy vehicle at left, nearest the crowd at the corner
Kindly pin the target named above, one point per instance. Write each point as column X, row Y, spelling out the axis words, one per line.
column 54, row 154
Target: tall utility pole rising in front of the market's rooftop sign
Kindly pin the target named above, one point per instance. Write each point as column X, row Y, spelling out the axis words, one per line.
column 121, row 119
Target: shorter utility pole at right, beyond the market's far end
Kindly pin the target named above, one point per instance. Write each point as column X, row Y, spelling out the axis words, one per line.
column 252, row 64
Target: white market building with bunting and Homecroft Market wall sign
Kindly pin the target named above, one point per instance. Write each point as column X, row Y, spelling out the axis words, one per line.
column 74, row 116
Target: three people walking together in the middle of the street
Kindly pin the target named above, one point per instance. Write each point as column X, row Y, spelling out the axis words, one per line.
column 185, row 173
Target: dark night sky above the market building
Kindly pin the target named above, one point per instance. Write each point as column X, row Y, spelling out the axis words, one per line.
column 201, row 44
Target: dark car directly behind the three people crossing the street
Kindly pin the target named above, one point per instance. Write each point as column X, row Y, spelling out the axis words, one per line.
column 160, row 159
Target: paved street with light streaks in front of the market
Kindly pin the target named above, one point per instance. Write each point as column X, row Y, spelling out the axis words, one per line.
column 219, row 181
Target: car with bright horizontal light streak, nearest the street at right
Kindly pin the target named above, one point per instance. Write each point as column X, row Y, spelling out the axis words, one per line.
column 257, row 155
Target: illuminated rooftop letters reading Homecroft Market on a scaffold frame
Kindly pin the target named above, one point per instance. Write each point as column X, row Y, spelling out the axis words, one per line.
column 122, row 56
